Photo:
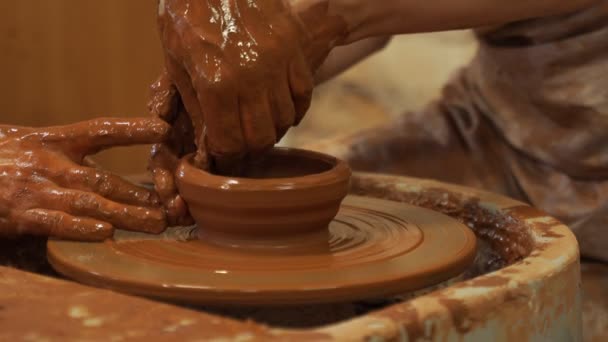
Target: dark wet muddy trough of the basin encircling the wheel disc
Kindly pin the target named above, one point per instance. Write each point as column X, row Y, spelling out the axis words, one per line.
column 501, row 241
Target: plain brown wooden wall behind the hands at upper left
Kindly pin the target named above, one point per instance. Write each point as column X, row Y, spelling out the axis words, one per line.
column 63, row 61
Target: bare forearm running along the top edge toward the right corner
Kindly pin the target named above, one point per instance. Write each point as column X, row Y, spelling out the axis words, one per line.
column 370, row 18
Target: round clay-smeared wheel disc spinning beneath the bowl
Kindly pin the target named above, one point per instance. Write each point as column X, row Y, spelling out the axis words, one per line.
column 375, row 248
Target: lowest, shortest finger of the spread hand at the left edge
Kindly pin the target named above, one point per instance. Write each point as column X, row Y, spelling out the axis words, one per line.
column 62, row 225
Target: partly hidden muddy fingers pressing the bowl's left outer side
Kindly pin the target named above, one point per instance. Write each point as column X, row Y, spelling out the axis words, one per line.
column 165, row 103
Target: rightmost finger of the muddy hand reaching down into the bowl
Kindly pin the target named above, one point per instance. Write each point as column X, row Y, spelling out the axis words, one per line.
column 301, row 83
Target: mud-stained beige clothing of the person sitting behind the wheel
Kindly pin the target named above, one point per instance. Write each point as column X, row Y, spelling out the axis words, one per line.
column 527, row 118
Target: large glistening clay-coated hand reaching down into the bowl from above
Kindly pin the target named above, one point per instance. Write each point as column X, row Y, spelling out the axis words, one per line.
column 244, row 68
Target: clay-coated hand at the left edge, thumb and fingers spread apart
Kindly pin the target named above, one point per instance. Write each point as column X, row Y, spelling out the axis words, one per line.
column 48, row 190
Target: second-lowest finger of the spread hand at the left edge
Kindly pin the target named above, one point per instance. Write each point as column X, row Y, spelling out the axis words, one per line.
column 87, row 204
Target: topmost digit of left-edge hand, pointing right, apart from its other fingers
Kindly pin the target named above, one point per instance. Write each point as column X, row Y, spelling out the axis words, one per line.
column 92, row 136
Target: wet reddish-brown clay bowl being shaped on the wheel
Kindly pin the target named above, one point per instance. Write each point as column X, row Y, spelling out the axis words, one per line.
column 286, row 192
